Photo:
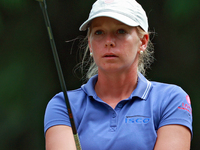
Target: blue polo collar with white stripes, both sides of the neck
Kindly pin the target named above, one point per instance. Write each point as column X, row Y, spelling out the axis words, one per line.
column 142, row 90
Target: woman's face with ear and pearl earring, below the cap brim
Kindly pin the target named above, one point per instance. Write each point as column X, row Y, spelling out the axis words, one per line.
column 115, row 46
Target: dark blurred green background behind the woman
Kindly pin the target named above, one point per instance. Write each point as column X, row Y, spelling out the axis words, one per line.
column 28, row 77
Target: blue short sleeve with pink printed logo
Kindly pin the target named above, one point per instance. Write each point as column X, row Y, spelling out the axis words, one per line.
column 176, row 109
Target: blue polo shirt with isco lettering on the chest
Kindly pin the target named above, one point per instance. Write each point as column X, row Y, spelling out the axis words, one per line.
column 134, row 122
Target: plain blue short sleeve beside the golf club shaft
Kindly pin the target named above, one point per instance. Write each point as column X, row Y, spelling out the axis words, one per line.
column 56, row 112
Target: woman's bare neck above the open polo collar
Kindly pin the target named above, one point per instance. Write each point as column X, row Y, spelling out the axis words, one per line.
column 113, row 88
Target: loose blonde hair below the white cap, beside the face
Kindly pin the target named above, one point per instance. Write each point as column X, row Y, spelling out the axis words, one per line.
column 88, row 64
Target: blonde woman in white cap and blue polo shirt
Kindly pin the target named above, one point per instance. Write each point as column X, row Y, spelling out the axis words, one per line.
column 119, row 109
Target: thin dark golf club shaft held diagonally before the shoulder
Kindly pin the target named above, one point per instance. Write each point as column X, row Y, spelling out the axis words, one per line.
column 60, row 74
